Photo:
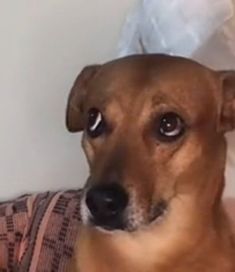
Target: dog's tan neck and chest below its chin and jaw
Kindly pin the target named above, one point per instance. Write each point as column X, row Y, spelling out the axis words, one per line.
column 185, row 238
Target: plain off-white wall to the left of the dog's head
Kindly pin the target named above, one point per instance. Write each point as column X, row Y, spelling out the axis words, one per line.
column 43, row 46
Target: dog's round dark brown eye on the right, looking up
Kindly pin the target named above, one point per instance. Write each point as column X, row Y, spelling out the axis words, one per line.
column 170, row 126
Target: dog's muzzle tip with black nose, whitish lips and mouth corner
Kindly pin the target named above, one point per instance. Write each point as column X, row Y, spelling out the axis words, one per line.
column 110, row 207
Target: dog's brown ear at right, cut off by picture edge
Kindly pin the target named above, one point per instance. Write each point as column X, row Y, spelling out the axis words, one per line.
column 227, row 120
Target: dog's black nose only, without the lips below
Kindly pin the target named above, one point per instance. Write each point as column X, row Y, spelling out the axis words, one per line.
column 105, row 201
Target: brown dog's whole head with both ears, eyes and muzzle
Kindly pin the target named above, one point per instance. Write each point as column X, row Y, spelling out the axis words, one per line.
column 153, row 131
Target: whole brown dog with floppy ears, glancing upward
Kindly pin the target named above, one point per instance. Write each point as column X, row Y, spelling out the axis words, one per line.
column 154, row 137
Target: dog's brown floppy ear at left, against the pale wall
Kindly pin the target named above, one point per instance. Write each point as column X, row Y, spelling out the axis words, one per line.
column 74, row 114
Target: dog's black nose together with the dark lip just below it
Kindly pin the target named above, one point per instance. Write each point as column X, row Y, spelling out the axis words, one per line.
column 106, row 204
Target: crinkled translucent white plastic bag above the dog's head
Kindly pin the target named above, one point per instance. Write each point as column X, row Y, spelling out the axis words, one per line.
column 178, row 27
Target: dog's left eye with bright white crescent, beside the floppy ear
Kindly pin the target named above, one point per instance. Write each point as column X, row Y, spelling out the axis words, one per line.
column 96, row 124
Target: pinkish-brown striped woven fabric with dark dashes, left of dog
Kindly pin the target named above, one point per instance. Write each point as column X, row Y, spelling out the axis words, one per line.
column 38, row 232
